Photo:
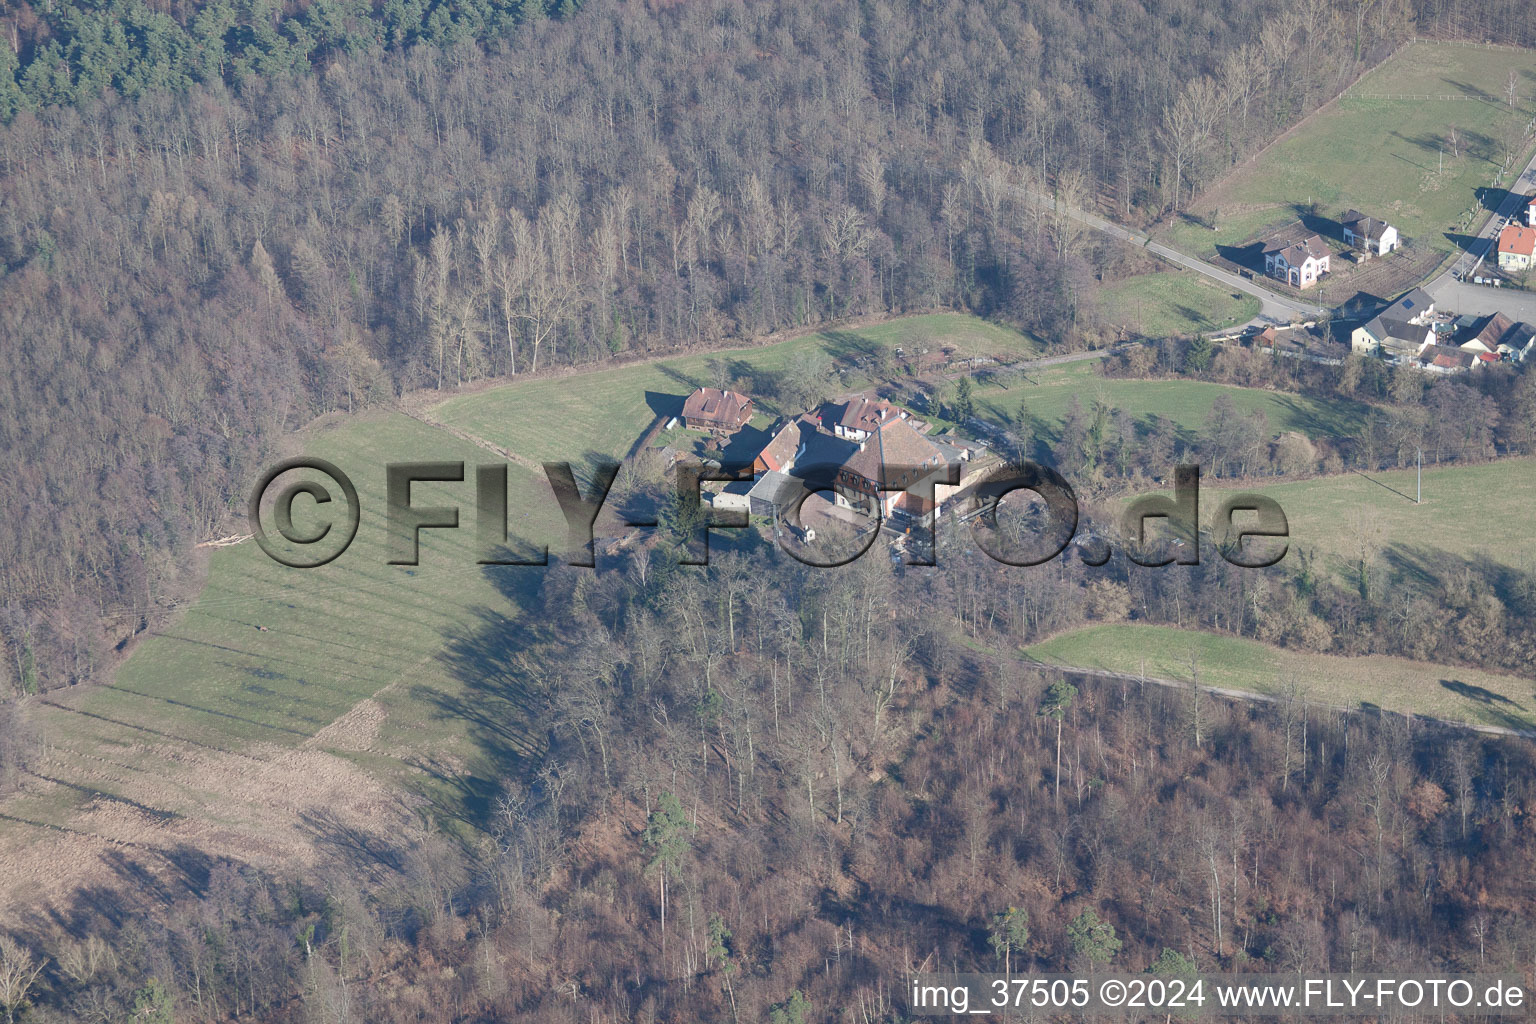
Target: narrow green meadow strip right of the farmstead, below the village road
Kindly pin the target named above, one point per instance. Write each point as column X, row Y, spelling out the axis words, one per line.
column 1187, row 403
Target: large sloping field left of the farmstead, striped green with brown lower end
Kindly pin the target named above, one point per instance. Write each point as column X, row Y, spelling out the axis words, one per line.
column 222, row 735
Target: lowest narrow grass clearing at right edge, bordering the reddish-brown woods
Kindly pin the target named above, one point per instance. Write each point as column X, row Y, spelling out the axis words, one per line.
column 1442, row 692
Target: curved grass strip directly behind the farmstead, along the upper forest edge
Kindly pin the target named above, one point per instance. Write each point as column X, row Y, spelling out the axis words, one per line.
column 607, row 411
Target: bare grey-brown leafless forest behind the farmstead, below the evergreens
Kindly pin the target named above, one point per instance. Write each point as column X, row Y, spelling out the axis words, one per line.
column 190, row 274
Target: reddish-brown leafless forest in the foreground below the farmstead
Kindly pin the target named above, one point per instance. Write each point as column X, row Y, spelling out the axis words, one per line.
column 773, row 807
